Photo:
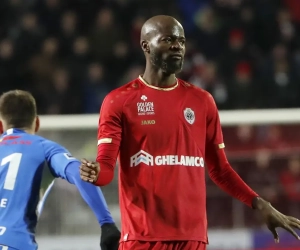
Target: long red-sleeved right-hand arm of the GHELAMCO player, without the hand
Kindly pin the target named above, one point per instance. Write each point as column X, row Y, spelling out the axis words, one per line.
column 218, row 166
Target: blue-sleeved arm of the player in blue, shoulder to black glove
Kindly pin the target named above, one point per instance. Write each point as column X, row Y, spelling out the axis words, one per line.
column 63, row 165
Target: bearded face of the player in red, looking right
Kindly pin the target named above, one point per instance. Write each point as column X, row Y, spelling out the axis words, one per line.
column 167, row 49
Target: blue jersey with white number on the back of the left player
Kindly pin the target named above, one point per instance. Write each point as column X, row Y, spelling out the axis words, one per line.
column 24, row 158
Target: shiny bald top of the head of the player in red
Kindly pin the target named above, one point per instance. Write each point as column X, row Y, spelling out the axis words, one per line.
column 158, row 24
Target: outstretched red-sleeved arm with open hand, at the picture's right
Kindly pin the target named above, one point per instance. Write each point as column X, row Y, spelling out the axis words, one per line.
column 227, row 179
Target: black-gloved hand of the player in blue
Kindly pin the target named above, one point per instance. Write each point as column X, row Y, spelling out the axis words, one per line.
column 110, row 237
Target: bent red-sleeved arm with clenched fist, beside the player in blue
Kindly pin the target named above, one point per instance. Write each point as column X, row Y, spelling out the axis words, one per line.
column 101, row 172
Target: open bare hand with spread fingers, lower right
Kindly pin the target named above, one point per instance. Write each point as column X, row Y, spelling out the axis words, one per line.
column 274, row 218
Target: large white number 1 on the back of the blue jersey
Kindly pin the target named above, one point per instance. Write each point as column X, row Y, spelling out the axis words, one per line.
column 13, row 168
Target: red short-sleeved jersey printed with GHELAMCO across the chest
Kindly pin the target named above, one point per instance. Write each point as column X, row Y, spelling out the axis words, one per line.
column 163, row 135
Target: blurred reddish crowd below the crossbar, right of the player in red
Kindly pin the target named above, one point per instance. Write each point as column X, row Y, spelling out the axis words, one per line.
column 268, row 160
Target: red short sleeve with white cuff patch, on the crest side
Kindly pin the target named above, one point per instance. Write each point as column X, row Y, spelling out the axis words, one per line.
column 214, row 134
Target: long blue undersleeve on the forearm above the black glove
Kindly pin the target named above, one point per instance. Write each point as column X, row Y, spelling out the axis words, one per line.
column 91, row 194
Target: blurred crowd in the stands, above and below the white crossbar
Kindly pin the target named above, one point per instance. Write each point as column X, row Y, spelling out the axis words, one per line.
column 246, row 53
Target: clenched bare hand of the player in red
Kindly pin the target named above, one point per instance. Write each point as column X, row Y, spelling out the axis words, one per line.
column 89, row 170
